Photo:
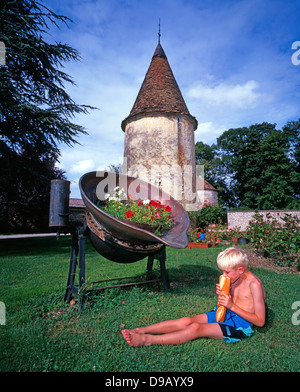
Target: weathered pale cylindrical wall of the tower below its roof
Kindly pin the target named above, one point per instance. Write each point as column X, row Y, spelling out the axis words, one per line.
column 158, row 149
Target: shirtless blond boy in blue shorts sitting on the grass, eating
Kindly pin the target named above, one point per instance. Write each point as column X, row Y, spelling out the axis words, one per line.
column 245, row 307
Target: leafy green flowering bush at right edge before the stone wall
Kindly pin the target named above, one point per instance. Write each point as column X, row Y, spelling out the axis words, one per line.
column 273, row 239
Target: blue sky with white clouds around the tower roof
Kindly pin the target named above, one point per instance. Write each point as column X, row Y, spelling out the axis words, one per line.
column 232, row 60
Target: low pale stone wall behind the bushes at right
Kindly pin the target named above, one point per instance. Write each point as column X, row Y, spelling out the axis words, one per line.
column 242, row 218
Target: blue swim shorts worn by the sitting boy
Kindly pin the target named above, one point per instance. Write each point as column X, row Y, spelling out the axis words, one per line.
column 234, row 327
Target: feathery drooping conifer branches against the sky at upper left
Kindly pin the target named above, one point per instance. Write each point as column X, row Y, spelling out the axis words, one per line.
column 34, row 107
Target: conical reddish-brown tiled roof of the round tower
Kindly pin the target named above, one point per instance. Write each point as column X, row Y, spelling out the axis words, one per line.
column 159, row 92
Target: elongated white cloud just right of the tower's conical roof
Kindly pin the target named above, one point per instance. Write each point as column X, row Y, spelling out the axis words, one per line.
column 233, row 96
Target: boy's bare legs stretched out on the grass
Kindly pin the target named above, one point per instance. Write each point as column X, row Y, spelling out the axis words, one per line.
column 191, row 332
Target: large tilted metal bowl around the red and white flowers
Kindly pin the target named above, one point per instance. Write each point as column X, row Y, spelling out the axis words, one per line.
column 93, row 187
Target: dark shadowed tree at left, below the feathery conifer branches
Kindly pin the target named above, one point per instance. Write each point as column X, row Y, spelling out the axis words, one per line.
column 24, row 192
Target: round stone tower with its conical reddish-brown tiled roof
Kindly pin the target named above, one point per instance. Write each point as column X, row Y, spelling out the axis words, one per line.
column 159, row 134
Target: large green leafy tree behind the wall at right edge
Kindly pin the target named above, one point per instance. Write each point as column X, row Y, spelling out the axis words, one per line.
column 262, row 164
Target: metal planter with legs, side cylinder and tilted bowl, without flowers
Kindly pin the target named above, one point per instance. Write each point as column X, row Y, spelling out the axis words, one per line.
column 114, row 240
